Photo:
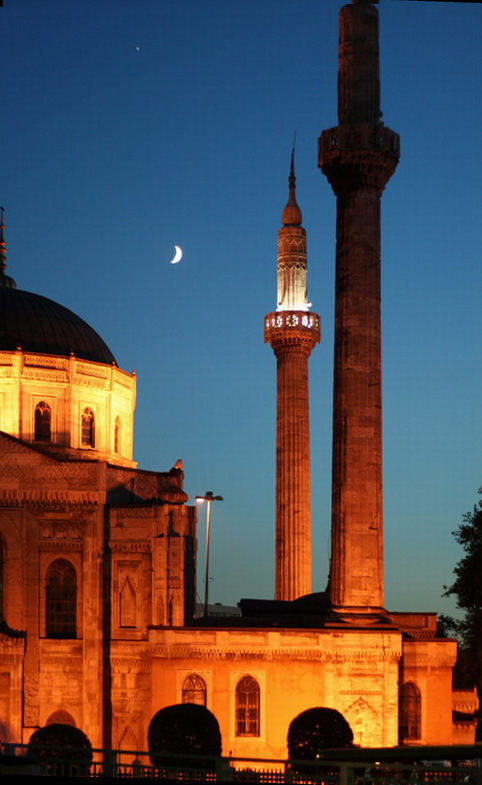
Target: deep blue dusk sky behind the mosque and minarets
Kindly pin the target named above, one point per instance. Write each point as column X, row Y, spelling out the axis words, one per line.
column 128, row 127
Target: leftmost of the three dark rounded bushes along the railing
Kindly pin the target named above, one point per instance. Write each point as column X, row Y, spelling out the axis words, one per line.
column 55, row 743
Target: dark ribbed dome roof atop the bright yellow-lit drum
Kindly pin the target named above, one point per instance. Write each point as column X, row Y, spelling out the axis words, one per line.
column 40, row 325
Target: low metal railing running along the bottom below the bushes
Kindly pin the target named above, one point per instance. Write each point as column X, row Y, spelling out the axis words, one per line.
column 130, row 764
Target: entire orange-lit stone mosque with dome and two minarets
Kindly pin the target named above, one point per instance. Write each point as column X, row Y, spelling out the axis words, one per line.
column 98, row 557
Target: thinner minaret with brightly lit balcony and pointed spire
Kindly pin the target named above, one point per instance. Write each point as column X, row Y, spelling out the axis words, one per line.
column 292, row 333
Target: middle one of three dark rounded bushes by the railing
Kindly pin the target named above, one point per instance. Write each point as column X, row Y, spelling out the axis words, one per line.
column 184, row 729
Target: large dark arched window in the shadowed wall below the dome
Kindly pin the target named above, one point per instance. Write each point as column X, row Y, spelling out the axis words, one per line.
column 61, row 600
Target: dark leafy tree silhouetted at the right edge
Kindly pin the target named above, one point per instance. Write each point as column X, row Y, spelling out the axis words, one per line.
column 467, row 588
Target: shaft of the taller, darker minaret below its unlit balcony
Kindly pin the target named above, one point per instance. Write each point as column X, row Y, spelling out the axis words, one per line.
column 357, row 533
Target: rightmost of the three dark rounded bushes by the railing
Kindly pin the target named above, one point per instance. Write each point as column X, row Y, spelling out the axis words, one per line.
column 315, row 730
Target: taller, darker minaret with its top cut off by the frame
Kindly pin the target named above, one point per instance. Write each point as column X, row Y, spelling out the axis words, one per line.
column 358, row 157
